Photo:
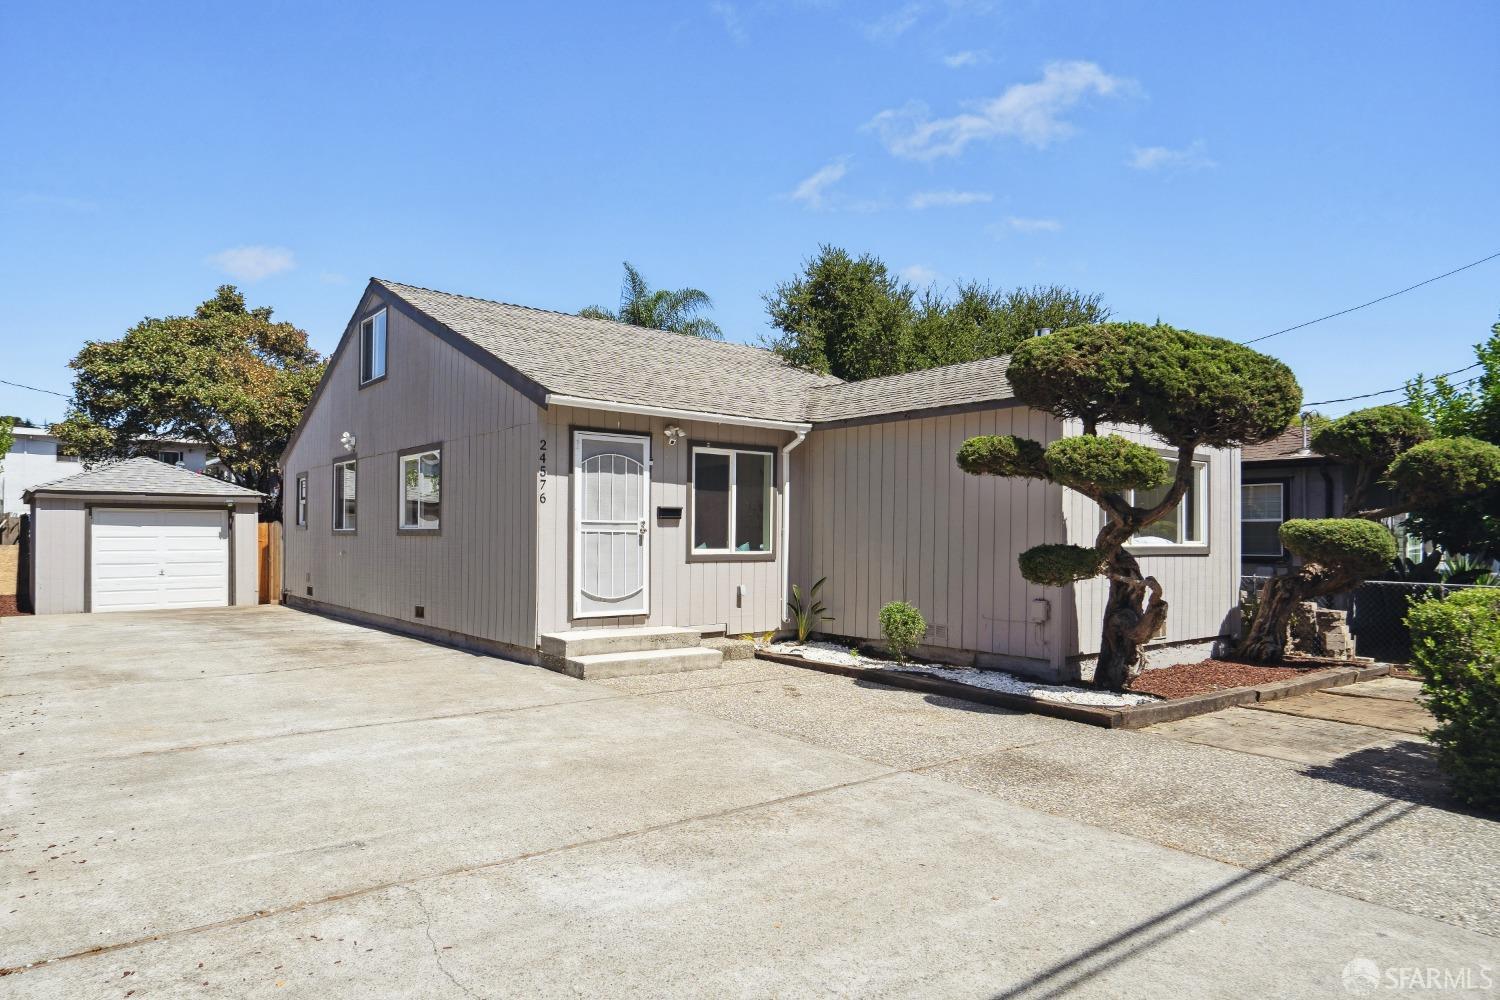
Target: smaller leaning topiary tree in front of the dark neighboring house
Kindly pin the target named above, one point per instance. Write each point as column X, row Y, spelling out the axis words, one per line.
column 1393, row 454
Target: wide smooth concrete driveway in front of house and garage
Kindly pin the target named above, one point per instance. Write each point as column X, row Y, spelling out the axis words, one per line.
column 262, row 804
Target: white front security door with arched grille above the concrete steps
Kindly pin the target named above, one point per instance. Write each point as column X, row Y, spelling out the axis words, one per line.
column 611, row 549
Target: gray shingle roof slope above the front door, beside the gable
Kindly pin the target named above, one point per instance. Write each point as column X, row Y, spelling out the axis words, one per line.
column 614, row 362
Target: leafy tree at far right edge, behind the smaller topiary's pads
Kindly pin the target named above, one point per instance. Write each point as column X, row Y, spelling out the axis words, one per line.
column 1469, row 407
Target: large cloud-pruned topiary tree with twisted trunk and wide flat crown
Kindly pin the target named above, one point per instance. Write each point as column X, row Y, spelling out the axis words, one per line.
column 1189, row 391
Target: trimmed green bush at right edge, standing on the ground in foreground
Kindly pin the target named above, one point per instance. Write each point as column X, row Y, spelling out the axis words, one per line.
column 1456, row 647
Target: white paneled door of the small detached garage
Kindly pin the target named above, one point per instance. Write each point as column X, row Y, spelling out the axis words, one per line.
column 160, row 558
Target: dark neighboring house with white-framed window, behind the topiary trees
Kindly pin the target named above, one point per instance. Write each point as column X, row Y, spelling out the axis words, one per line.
column 1285, row 479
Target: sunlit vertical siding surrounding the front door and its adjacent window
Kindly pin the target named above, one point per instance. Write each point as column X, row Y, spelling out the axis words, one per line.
column 682, row 593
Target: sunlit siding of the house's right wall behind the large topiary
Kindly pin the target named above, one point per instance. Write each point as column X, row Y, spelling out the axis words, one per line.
column 1202, row 591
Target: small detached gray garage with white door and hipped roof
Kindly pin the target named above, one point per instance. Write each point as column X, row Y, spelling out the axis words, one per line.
column 142, row 536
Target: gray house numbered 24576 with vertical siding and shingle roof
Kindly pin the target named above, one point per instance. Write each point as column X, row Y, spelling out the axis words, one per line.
column 554, row 488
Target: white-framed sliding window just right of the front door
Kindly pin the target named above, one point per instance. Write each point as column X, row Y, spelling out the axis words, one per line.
column 734, row 501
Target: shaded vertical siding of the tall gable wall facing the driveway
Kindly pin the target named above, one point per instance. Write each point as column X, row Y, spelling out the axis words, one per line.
column 476, row 576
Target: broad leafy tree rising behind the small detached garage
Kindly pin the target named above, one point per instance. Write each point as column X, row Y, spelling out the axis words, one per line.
column 226, row 376
